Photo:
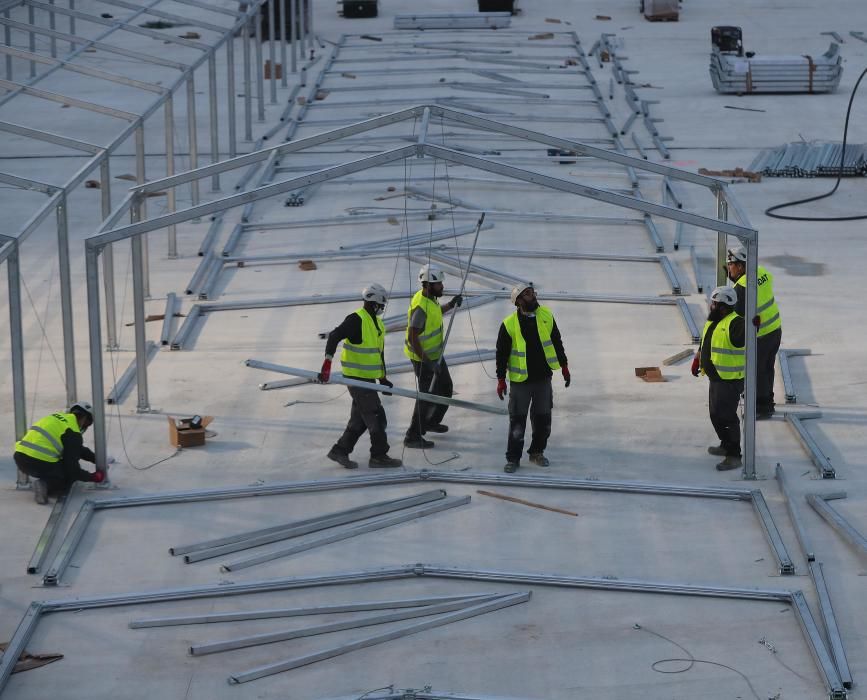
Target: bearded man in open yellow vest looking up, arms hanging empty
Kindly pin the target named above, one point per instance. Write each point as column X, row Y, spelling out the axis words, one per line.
column 530, row 348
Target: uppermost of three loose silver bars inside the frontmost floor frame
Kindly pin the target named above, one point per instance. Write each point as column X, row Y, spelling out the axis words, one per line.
column 273, row 613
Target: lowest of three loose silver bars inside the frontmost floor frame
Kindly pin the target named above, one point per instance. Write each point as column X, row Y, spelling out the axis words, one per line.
column 270, row 669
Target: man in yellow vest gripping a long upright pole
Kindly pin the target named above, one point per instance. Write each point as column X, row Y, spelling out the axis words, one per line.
column 424, row 346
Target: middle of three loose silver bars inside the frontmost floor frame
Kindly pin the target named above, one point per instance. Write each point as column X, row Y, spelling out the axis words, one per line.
column 370, row 621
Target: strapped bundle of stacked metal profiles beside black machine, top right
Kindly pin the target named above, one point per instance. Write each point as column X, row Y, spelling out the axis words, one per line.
column 791, row 73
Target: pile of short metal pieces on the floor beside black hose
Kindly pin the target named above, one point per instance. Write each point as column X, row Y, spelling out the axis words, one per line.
column 811, row 160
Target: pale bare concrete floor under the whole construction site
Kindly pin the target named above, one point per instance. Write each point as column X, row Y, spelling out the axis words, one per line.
column 608, row 425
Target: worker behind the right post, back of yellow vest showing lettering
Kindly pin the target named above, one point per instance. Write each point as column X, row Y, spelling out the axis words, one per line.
column 767, row 321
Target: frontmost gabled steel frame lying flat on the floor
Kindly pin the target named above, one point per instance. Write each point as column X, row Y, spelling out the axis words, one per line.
column 809, row 629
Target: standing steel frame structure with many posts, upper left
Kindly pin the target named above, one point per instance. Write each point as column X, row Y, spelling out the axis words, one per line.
column 59, row 195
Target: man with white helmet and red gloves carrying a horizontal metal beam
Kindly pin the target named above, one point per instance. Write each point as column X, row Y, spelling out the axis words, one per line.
column 363, row 336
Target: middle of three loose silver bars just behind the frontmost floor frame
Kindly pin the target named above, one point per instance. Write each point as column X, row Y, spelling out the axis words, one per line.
column 292, row 530
